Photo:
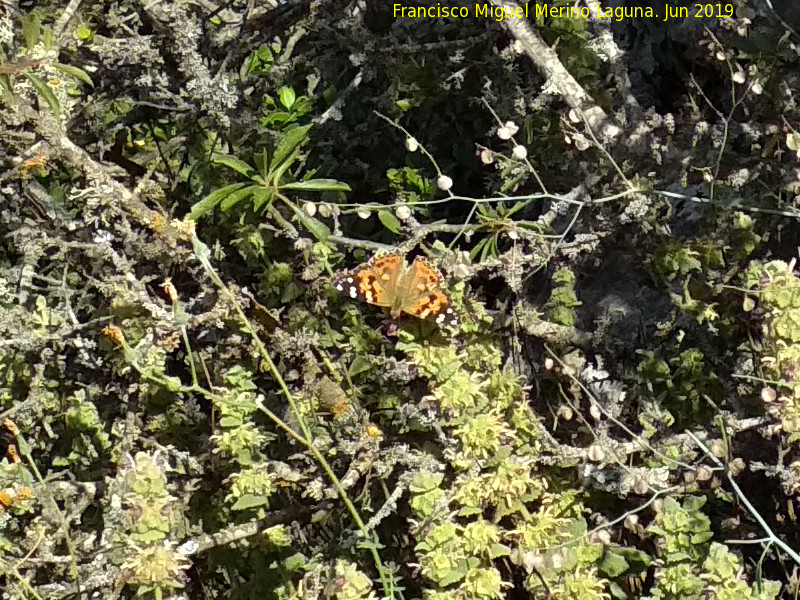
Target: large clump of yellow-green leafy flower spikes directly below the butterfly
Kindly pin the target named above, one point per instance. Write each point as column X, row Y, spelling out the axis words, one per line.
column 482, row 407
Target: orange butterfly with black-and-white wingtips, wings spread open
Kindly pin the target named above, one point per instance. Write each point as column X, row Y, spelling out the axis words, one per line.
column 389, row 282
